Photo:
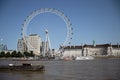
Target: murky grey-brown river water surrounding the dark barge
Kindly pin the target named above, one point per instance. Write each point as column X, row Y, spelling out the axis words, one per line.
column 108, row 69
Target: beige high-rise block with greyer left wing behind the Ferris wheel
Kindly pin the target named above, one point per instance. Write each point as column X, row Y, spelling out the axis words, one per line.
column 33, row 43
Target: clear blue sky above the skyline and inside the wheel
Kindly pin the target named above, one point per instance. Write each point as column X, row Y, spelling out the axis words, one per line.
column 97, row 20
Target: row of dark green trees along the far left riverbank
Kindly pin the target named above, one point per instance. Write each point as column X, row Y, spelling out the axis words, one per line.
column 16, row 54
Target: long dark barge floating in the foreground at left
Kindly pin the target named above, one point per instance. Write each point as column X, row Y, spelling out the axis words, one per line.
column 23, row 67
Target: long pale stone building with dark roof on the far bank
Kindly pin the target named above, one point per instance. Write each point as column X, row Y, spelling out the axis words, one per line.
column 91, row 50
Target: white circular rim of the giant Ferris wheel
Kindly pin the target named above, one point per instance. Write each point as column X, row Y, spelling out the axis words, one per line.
column 50, row 10
